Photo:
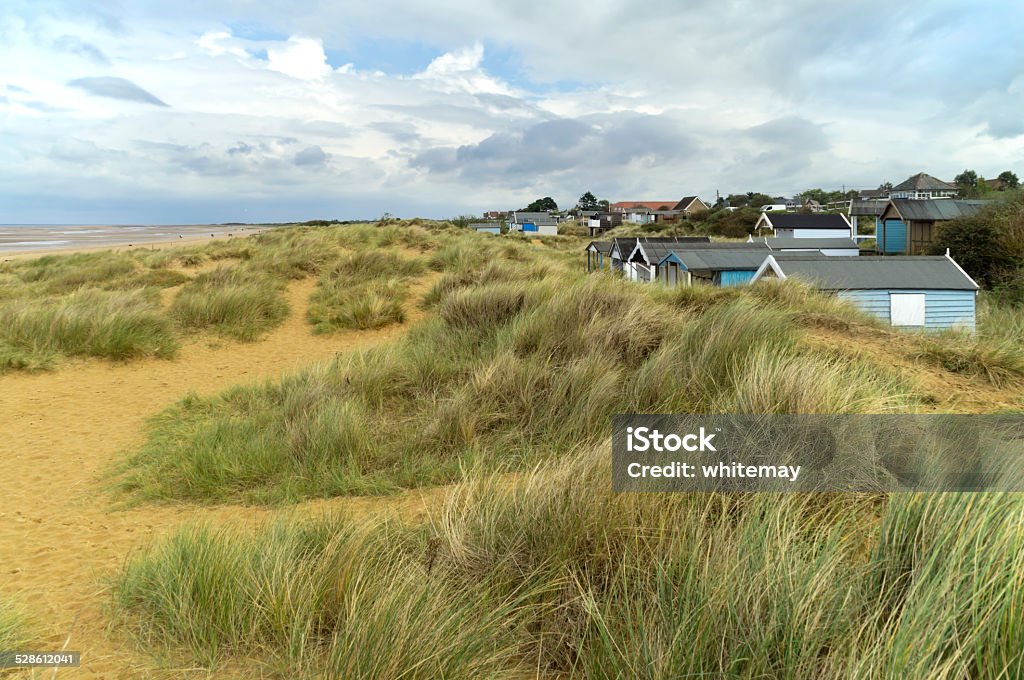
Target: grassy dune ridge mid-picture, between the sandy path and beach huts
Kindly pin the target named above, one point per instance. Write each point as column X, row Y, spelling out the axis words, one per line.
column 517, row 363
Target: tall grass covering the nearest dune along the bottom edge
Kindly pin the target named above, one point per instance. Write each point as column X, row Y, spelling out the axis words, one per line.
column 557, row 574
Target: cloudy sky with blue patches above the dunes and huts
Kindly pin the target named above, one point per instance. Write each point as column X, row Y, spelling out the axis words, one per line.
column 236, row 111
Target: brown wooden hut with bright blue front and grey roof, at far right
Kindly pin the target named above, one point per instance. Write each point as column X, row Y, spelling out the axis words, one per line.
column 908, row 227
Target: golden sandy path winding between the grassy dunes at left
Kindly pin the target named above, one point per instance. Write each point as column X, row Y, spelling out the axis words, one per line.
column 59, row 435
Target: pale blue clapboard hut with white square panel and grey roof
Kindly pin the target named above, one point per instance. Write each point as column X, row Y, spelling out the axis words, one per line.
column 931, row 293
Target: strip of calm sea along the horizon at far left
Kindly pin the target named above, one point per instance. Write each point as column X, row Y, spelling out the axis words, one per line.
column 23, row 238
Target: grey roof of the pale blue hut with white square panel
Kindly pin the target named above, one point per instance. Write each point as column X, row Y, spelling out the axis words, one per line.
column 900, row 273
